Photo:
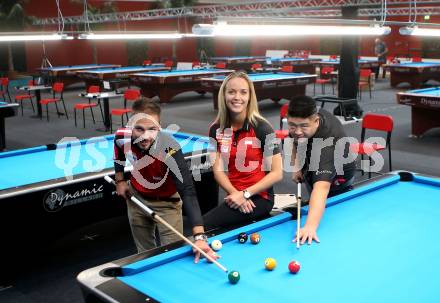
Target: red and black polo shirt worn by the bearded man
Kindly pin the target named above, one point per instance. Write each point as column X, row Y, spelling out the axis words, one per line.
column 159, row 172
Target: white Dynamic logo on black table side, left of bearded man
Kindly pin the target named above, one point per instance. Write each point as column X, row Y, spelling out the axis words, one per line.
column 56, row 199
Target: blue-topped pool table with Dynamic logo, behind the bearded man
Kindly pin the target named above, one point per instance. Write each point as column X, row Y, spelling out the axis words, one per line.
column 49, row 191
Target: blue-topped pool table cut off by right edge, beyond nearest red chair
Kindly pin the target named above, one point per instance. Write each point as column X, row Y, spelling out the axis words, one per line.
column 425, row 108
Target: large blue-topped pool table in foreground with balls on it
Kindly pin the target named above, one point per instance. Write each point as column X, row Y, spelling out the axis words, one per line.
column 377, row 245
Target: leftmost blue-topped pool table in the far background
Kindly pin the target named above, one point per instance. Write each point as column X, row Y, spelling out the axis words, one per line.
column 67, row 73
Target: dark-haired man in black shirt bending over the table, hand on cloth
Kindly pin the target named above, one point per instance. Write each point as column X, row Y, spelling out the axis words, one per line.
column 320, row 157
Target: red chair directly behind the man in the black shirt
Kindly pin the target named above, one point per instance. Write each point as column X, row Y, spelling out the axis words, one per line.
column 374, row 122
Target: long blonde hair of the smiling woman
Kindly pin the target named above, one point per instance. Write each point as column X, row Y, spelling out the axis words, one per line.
column 252, row 115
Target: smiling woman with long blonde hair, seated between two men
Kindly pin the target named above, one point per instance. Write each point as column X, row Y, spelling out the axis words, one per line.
column 247, row 160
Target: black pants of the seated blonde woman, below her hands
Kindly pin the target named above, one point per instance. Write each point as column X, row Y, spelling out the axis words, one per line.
column 223, row 216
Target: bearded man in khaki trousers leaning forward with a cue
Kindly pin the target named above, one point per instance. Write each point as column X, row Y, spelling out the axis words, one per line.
column 160, row 179
